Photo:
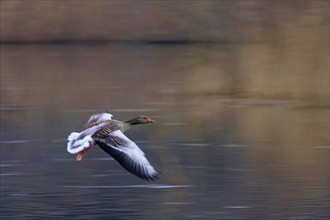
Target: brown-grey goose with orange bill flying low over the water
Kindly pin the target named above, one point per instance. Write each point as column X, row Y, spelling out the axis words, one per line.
column 108, row 134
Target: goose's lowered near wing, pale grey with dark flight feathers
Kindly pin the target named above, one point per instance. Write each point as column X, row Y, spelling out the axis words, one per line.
column 128, row 155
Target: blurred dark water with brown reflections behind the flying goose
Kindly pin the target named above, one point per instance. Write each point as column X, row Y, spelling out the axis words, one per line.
column 223, row 155
